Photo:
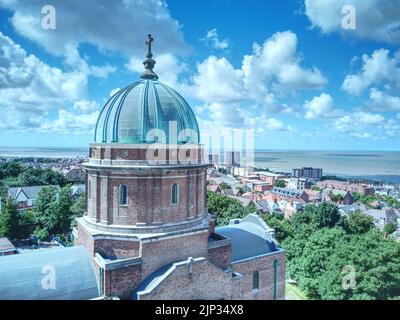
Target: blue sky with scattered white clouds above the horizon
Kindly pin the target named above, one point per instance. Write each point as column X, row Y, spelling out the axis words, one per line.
column 304, row 74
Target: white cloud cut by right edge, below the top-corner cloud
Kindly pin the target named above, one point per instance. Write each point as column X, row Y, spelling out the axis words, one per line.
column 377, row 68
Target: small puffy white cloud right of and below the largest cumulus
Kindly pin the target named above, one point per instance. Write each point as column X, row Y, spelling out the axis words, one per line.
column 321, row 106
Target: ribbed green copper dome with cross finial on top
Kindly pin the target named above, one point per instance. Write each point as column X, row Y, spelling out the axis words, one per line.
column 145, row 112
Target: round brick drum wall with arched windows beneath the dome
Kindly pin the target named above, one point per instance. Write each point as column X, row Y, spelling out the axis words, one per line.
column 148, row 197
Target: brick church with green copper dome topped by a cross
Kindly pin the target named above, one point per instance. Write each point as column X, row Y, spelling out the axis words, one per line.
column 147, row 233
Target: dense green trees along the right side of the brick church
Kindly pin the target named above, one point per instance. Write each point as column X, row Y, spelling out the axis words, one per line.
column 324, row 249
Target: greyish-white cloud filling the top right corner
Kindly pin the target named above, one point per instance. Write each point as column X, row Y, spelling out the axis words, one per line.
column 375, row 19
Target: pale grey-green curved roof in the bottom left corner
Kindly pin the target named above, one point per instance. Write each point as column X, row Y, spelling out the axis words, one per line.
column 22, row 275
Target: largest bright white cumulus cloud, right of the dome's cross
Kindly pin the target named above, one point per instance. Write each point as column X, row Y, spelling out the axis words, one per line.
column 272, row 67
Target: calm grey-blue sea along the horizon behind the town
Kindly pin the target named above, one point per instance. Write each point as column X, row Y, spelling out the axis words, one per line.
column 381, row 166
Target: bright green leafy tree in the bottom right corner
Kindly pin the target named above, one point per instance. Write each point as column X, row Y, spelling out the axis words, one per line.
column 372, row 262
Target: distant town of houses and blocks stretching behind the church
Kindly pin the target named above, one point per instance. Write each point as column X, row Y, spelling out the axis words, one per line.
column 267, row 190
